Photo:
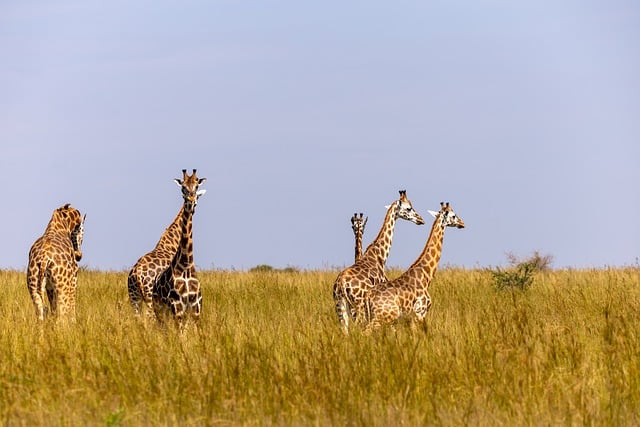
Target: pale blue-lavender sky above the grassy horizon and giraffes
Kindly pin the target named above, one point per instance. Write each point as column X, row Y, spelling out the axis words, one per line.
column 525, row 115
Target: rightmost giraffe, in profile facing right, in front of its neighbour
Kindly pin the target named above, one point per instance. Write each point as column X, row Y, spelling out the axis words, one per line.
column 408, row 294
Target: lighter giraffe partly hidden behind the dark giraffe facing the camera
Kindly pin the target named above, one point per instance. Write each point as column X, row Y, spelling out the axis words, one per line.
column 150, row 266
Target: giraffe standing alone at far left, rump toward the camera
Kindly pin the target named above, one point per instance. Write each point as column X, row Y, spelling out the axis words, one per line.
column 53, row 264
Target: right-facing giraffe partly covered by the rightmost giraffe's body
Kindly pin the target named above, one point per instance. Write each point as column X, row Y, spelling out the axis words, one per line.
column 353, row 283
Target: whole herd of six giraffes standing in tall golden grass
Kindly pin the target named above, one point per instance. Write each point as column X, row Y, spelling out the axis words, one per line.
column 163, row 283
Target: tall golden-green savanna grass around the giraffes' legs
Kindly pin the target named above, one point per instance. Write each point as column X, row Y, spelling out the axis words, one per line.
column 268, row 350
